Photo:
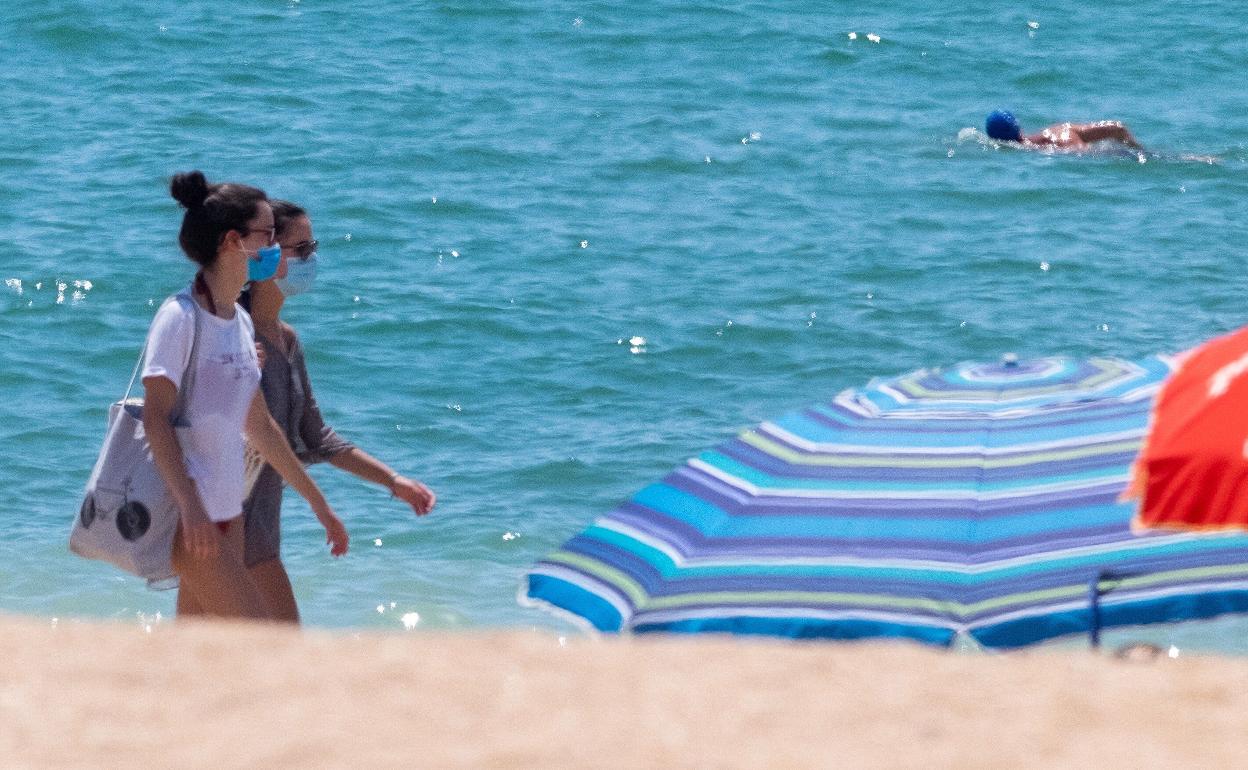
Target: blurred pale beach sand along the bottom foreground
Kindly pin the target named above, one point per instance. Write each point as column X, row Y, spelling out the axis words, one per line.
column 229, row 696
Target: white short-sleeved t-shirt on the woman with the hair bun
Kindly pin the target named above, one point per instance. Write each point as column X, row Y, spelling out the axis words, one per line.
column 227, row 378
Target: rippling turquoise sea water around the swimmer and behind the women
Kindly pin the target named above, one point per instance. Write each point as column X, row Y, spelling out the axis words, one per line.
column 507, row 194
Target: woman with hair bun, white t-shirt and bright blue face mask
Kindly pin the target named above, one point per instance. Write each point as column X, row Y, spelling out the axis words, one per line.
column 228, row 230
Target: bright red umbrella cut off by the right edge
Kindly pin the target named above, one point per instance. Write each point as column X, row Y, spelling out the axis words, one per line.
column 1192, row 472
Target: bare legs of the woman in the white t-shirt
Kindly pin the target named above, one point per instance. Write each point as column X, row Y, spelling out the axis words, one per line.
column 219, row 587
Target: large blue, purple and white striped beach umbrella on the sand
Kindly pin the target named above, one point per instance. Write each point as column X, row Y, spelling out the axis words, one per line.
column 980, row 500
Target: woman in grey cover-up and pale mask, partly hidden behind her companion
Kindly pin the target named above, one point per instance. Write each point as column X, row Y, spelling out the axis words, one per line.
column 289, row 395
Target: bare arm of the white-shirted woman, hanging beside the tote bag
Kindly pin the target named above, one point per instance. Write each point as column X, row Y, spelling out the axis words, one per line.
column 160, row 395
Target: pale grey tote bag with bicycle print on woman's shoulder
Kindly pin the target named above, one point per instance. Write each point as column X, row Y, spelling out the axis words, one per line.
column 128, row 517
